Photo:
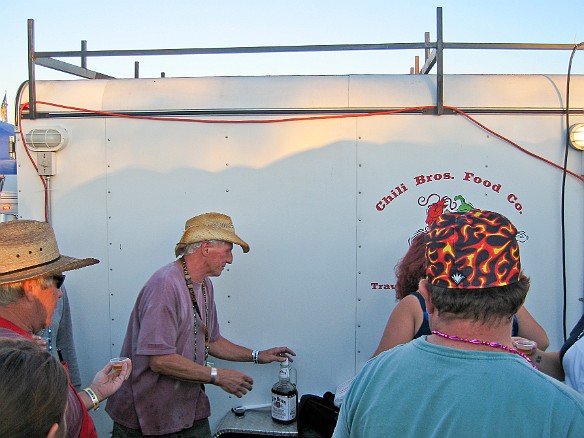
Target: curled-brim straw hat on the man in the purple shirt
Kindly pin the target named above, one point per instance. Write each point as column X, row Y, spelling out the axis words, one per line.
column 209, row 226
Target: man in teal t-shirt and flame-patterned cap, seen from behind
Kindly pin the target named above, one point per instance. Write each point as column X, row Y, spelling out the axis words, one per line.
column 465, row 379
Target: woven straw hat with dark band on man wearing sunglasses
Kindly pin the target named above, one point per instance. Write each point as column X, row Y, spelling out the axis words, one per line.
column 28, row 249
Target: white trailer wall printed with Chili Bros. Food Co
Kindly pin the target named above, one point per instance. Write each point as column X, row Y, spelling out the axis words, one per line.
column 327, row 205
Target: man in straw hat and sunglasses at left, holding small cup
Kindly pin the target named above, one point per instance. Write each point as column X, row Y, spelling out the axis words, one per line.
column 31, row 273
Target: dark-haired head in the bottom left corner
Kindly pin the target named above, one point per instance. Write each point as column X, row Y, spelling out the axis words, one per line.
column 33, row 391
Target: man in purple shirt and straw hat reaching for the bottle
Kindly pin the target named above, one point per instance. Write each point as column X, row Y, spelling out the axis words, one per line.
column 172, row 331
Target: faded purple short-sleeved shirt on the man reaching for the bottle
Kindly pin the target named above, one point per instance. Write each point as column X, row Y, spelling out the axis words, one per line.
column 162, row 323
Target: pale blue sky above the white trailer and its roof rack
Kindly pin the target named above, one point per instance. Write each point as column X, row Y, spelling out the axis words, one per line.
column 147, row 24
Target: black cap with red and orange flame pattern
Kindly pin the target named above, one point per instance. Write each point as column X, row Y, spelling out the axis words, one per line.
column 472, row 250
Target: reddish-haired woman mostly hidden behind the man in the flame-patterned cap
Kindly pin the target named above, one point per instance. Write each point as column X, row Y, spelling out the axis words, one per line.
column 409, row 319
